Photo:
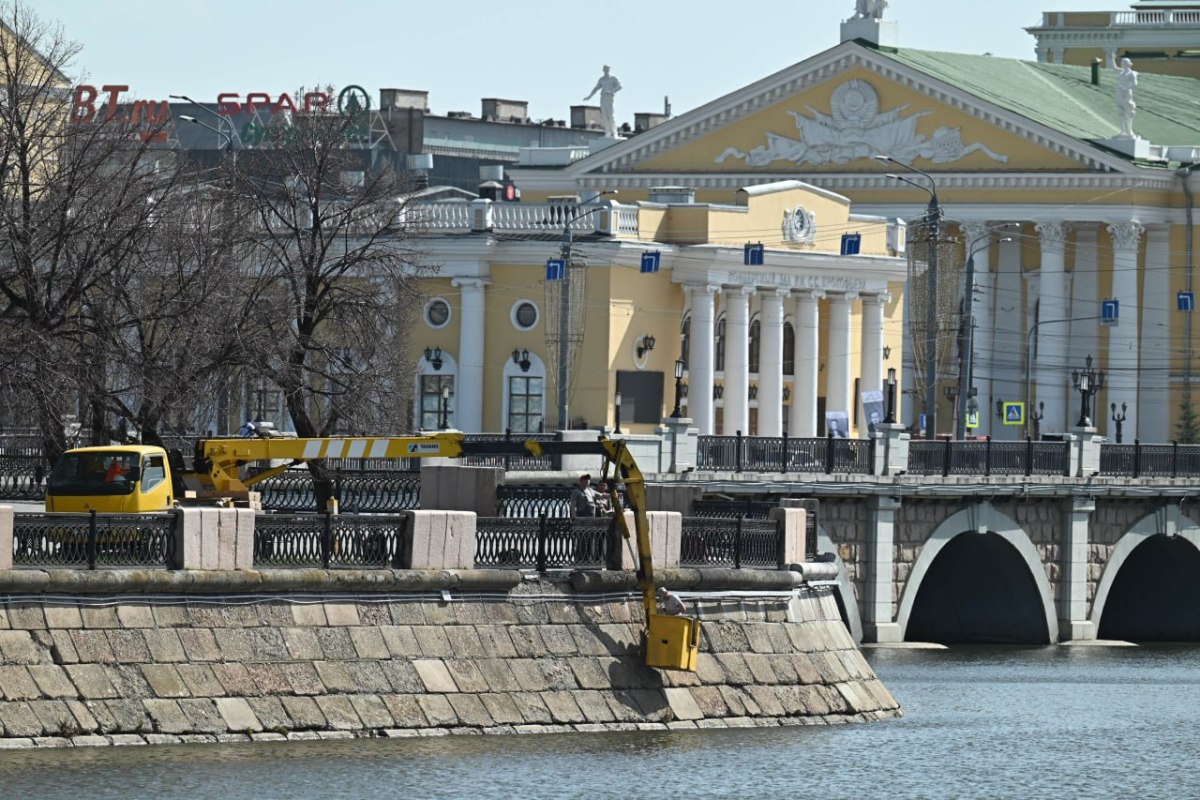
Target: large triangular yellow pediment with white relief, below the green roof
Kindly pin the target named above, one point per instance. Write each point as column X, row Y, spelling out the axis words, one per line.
column 835, row 112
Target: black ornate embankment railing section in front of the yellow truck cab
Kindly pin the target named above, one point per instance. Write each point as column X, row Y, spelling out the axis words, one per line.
column 92, row 542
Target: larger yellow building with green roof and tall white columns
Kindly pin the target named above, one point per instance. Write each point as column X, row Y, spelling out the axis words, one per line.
column 1093, row 214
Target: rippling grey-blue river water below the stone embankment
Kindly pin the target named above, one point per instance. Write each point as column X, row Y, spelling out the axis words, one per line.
column 981, row 723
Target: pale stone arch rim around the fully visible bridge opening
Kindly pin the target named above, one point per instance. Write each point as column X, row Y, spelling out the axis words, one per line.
column 982, row 519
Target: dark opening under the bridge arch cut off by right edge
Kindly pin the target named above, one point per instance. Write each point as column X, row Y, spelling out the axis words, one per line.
column 1156, row 596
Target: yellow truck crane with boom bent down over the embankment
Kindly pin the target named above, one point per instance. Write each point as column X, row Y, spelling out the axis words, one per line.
column 141, row 479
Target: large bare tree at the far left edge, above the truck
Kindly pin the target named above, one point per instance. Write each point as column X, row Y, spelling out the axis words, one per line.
column 76, row 202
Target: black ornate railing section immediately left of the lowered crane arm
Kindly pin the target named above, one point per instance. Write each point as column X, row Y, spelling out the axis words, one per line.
column 545, row 544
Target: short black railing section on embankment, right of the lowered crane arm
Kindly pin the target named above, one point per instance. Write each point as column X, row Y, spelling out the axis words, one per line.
column 741, row 543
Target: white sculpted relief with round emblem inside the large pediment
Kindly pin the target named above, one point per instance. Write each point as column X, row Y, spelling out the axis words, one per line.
column 857, row 129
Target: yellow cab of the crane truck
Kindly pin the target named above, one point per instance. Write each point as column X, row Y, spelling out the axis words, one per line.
column 124, row 479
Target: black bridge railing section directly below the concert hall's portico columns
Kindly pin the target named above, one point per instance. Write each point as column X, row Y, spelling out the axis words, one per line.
column 826, row 456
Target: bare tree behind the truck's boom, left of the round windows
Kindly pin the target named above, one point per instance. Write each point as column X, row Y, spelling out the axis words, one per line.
column 341, row 278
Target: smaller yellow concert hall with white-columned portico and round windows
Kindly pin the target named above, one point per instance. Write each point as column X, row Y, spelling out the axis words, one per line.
column 638, row 291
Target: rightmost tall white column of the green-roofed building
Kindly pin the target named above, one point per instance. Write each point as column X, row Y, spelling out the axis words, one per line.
column 1155, row 383
